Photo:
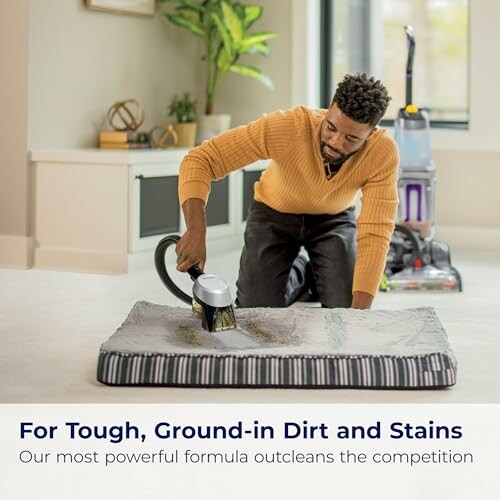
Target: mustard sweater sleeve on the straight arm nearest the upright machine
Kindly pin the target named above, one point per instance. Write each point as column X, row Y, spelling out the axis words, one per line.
column 376, row 221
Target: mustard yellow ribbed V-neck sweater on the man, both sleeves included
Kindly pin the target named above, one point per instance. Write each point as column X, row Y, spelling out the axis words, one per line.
column 295, row 182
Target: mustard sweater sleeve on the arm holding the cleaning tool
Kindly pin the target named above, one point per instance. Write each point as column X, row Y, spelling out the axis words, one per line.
column 267, row 137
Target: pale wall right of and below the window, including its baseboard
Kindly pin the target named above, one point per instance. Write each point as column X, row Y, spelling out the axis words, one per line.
column 468, row 162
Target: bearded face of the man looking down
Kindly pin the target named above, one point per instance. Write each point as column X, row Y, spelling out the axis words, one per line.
column 341, row 136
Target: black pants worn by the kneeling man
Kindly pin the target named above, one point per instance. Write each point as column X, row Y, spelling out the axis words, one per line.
column 272, row 242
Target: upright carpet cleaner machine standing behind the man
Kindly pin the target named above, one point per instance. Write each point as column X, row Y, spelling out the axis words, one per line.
column 416, row 261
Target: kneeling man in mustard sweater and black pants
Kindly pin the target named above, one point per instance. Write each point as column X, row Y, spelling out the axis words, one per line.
column 320, row 159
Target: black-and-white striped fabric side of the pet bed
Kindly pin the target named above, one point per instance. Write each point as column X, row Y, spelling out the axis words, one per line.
column 424, row 371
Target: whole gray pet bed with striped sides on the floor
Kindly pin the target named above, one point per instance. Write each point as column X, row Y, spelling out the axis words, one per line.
column 309, row 347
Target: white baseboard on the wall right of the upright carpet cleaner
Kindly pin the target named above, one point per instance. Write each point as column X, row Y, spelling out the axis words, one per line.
column 470, row 237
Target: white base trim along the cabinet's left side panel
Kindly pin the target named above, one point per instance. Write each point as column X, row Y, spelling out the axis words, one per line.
column 64, row 259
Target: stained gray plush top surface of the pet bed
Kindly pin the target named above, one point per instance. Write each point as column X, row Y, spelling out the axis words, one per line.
column 152, row 328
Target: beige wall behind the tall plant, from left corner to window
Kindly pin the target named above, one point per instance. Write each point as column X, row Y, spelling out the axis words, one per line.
column 87, row 60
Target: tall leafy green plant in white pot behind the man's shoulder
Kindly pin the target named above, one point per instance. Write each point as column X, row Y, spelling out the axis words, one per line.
column 224, row 26
